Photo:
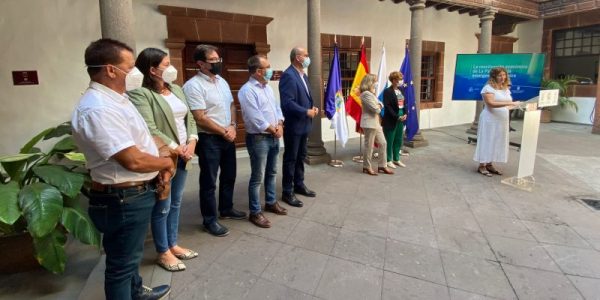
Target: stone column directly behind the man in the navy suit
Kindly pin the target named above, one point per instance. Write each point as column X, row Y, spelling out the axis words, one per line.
column 316, row 150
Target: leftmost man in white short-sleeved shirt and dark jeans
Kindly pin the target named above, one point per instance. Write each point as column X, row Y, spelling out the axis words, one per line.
column 123, row 162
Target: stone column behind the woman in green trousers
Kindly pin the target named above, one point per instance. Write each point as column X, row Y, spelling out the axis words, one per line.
column 417, row 8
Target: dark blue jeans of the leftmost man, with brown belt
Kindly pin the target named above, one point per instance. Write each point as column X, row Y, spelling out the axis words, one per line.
column 122, row 215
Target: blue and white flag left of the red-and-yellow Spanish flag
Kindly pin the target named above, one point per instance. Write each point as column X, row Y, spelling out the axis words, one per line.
column 334, row 100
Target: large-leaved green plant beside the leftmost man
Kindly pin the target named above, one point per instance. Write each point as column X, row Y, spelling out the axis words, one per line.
column 40, row 195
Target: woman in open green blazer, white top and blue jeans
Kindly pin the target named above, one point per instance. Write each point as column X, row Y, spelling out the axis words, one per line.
column 164, row 108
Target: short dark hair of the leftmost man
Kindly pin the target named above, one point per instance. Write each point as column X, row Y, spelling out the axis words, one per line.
column 104, row 52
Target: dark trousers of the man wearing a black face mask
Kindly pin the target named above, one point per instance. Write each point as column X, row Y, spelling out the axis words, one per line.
column 215, row 152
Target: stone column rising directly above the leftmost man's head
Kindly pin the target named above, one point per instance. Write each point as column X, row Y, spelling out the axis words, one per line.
column 116, row 19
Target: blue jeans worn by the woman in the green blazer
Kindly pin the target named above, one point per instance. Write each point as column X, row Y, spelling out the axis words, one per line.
column 165, row 214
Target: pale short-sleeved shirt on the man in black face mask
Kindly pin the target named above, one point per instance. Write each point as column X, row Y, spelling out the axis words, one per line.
column 213, row 96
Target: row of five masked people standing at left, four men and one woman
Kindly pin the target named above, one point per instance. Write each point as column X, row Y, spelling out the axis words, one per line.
column 133, row 120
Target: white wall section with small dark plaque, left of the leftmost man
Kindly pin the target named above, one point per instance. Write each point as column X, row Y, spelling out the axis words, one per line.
column 50, row 37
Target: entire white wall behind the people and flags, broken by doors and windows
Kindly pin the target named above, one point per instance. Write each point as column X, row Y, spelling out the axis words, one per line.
column 51, row 36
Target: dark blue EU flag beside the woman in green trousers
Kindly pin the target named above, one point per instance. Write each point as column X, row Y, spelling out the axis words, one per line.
column 412, row 122
